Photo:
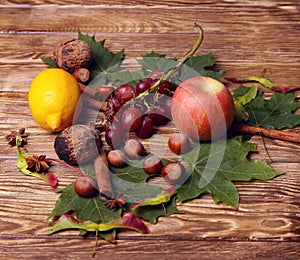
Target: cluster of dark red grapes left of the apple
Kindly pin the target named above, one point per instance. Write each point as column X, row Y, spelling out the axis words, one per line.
column 137, row 109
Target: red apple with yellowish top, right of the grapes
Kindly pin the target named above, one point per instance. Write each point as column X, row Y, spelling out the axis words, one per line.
column 202, row 108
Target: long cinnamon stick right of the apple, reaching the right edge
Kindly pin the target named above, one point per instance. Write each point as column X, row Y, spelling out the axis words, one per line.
column 275, row 134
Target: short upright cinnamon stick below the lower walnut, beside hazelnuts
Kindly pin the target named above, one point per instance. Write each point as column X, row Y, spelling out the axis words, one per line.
column 103, row 175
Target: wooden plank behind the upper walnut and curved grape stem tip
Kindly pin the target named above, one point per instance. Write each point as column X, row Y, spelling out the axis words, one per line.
column 33, row 47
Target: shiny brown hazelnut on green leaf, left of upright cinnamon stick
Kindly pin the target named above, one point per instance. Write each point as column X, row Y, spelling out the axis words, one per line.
column 86, row 186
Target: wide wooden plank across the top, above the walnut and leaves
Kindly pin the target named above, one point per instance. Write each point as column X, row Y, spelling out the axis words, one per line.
column 155, row 19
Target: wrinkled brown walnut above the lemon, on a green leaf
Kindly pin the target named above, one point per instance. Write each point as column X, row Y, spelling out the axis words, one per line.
column 73, row 54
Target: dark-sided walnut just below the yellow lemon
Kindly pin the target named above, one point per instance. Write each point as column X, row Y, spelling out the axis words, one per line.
column 77, row 144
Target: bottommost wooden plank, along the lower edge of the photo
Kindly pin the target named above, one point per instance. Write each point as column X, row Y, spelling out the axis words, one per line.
column 72, row 248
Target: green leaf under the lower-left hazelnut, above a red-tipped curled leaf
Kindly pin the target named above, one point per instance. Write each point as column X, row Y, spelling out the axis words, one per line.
column 91, row 209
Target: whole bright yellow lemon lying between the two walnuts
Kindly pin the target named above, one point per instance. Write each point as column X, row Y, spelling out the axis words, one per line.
column 54, row 99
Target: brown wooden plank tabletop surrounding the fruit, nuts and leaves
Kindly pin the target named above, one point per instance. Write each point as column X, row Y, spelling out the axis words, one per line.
column 247, row 37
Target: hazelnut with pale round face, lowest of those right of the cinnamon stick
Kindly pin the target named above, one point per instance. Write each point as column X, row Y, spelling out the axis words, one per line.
column 174, row 173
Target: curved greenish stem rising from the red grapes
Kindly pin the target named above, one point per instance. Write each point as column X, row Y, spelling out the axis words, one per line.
column 189, row 54
